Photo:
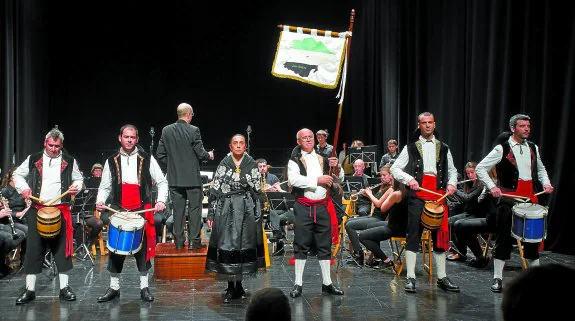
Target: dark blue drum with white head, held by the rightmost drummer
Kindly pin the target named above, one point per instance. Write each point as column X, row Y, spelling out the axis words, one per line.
column 529, row 222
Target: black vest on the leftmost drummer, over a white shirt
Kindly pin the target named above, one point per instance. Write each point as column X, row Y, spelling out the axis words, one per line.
column 35, row 165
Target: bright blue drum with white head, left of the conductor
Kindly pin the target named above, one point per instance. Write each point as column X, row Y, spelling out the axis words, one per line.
column 126, row 233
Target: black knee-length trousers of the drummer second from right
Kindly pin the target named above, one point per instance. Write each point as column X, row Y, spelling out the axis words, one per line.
column 414, row 227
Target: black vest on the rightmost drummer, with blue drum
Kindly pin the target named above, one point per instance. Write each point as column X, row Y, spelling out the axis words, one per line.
column 507, row 172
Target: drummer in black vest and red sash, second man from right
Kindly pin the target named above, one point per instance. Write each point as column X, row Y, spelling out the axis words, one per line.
column 417, row 166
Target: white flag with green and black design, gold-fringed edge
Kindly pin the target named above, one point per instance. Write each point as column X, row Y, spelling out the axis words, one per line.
column 309, row 58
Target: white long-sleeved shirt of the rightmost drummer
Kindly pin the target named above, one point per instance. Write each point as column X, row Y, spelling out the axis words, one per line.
column 522, row 154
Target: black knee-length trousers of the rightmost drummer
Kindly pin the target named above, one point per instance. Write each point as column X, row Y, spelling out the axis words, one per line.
column 504, row 242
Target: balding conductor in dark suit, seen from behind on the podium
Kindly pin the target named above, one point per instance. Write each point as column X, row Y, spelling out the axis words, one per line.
column 179, row 151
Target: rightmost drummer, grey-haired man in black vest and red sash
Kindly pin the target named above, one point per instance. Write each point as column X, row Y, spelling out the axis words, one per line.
column 521, row 172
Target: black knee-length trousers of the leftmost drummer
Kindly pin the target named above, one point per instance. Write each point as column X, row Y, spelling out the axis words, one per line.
column 37, row 246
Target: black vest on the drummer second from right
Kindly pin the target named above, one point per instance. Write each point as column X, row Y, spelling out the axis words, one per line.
column 415, row 164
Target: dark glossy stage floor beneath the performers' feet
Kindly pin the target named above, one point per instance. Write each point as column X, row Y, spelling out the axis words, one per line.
column 369, row 294
